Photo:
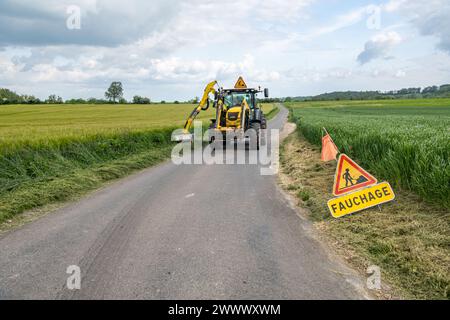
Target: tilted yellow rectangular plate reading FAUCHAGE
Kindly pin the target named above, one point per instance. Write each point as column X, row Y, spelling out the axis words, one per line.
column 361, row 199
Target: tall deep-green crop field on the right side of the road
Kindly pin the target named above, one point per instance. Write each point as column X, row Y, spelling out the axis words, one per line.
column 406, row 142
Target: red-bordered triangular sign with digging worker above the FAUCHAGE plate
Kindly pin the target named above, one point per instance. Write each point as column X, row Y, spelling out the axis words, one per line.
column 350, row 176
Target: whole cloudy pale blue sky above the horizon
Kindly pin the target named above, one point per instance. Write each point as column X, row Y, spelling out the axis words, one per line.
column 169, row 49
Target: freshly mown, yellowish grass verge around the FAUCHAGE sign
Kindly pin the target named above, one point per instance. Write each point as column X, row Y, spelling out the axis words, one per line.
column 408, row 239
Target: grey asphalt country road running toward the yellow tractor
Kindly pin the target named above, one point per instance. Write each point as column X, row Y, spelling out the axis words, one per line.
column 176, row 232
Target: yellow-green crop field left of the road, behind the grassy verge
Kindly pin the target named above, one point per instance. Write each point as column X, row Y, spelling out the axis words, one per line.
column 48, row 122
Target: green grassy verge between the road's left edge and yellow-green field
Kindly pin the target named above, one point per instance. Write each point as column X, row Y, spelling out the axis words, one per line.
column 38, row 173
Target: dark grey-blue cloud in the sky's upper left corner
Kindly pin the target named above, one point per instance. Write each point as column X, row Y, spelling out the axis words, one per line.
column 103, row 22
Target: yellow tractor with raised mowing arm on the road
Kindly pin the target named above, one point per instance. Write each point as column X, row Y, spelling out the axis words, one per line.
column 237, row 111
